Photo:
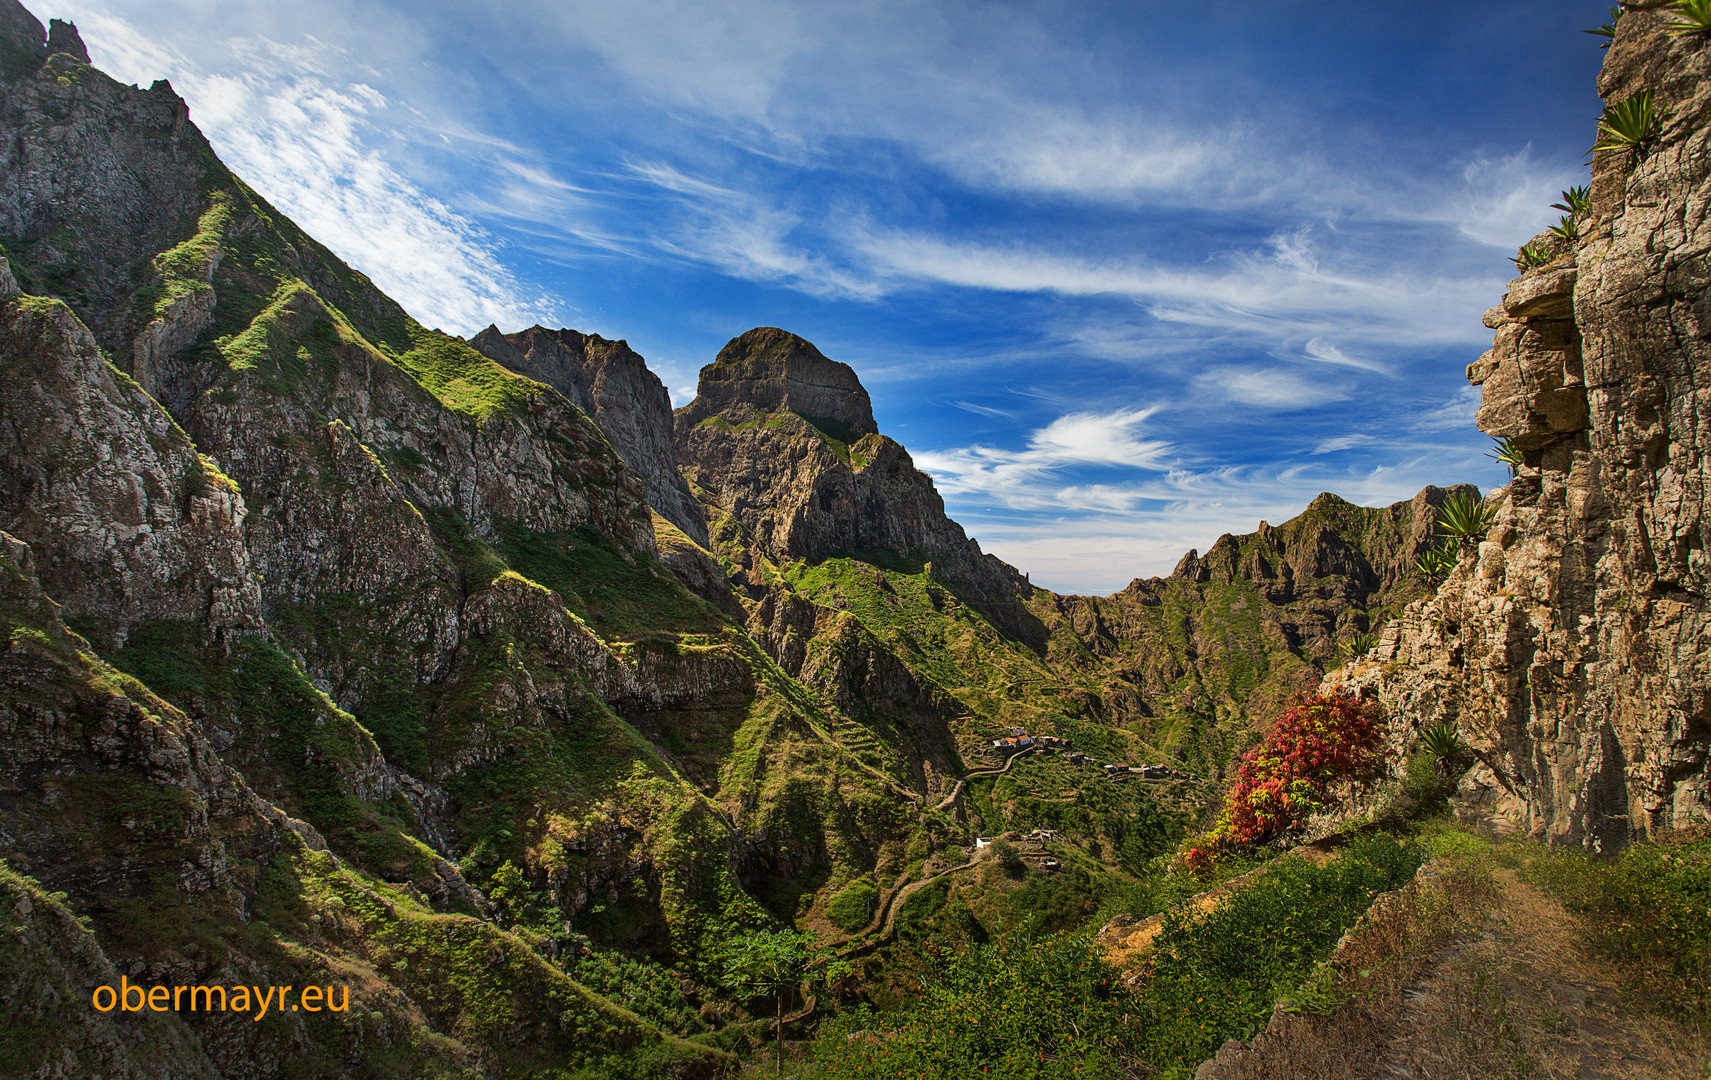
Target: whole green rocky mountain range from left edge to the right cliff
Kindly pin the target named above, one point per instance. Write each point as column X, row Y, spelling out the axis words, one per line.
column 343, row 650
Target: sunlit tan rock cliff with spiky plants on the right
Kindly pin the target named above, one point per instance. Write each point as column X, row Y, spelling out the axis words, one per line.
column 1573, row 646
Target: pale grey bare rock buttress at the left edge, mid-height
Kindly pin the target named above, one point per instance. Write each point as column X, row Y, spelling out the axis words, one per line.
column 133, row 521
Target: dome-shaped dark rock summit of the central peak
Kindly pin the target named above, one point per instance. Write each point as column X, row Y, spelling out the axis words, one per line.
column 773, row 371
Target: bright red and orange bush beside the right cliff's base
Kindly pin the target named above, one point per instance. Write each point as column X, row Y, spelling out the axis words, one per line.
column 1322, row 739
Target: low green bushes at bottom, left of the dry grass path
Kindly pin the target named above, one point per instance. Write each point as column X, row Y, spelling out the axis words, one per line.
column 1036, row 1007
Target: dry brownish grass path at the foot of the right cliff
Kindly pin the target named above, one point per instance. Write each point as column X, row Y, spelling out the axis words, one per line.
column 1476, row 975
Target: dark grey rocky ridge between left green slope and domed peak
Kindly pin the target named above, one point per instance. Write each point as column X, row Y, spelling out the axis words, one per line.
column 627, row 401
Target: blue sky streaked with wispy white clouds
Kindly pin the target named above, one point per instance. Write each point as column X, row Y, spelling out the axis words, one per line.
column 1122, row 276
